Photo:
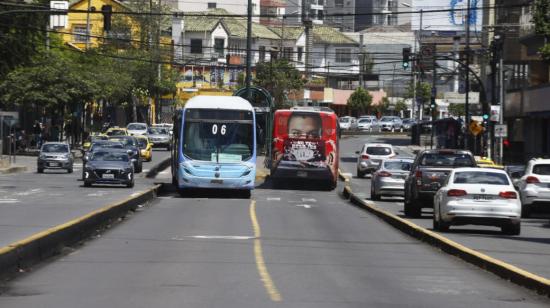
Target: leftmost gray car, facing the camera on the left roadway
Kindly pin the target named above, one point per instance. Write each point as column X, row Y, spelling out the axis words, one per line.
column 55, row 155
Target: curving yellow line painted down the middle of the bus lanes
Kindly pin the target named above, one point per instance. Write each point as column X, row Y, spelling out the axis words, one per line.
column 269, row 285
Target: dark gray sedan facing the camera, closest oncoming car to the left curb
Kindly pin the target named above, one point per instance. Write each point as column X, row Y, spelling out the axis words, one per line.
column 109, row 166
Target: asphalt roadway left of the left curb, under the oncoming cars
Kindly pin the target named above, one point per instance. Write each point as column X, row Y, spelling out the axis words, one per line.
column 32, row 202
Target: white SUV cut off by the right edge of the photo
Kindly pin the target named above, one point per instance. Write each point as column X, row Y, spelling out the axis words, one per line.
column 534, row 185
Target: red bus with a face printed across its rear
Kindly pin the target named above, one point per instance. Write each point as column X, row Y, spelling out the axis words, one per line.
column 305, row 145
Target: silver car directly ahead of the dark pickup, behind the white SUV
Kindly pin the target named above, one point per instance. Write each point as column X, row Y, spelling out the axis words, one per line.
column 389, row 178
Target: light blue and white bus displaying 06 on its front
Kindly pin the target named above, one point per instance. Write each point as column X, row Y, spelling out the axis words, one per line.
column 214, row 144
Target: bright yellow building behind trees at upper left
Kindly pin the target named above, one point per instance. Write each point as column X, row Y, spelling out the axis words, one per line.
column 77, row 21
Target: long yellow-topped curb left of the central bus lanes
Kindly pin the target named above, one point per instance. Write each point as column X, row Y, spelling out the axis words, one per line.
column 50, row 242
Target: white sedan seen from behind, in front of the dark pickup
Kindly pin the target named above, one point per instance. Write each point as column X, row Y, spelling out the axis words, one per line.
column 478, row 196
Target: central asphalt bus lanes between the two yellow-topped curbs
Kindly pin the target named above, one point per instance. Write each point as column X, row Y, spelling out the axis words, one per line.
column 282, row 248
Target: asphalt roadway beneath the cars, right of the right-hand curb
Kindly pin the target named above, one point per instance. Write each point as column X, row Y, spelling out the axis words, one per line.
column 529, row 251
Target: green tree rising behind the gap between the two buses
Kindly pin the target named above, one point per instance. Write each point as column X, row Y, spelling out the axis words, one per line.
column 279, row 77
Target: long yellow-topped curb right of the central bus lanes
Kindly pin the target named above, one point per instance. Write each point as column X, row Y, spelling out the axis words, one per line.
column 502, row 269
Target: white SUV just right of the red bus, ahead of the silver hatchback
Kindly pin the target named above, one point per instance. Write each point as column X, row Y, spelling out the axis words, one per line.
column 371, row 155
